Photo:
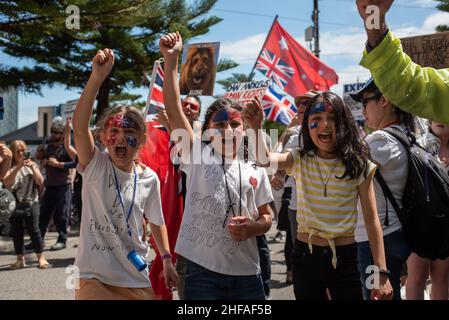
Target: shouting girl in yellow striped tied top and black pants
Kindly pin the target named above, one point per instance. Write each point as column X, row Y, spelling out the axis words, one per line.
column 332, row 172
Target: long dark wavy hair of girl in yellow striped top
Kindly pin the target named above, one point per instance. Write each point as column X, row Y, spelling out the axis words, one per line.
column 352, row 151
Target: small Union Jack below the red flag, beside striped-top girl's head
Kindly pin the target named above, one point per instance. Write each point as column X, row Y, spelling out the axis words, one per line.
column 277, row 107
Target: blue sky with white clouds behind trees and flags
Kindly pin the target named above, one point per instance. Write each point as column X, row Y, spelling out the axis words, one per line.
column 246, row 23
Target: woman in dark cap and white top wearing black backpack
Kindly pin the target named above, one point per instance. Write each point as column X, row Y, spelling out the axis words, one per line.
column 391, row 159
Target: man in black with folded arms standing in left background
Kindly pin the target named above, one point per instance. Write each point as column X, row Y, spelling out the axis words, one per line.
column 57, row 199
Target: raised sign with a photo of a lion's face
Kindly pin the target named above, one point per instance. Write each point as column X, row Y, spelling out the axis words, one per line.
column 199, row 66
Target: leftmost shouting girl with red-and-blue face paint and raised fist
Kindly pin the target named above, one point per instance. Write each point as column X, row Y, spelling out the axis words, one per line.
column 118, row 195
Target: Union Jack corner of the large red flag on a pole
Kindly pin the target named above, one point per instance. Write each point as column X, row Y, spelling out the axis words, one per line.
column 274, row 68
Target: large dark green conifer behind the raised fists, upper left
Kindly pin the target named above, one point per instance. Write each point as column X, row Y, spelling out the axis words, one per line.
column 37, row 31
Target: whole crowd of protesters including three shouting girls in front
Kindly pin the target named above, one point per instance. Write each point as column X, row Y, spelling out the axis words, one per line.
column 326, row 194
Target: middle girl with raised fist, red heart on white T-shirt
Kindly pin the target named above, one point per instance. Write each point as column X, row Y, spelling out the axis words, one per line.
column 227, row 200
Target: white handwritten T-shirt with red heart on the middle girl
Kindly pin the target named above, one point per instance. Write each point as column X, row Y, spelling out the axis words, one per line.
column 204, row 237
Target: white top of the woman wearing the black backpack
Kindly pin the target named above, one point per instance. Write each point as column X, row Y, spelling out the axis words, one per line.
column 392, row 158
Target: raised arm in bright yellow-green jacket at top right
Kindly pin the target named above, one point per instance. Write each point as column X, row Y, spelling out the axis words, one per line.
column 417, row 90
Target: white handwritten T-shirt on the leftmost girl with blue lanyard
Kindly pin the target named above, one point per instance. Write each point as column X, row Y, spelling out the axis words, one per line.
column 104, row 241
